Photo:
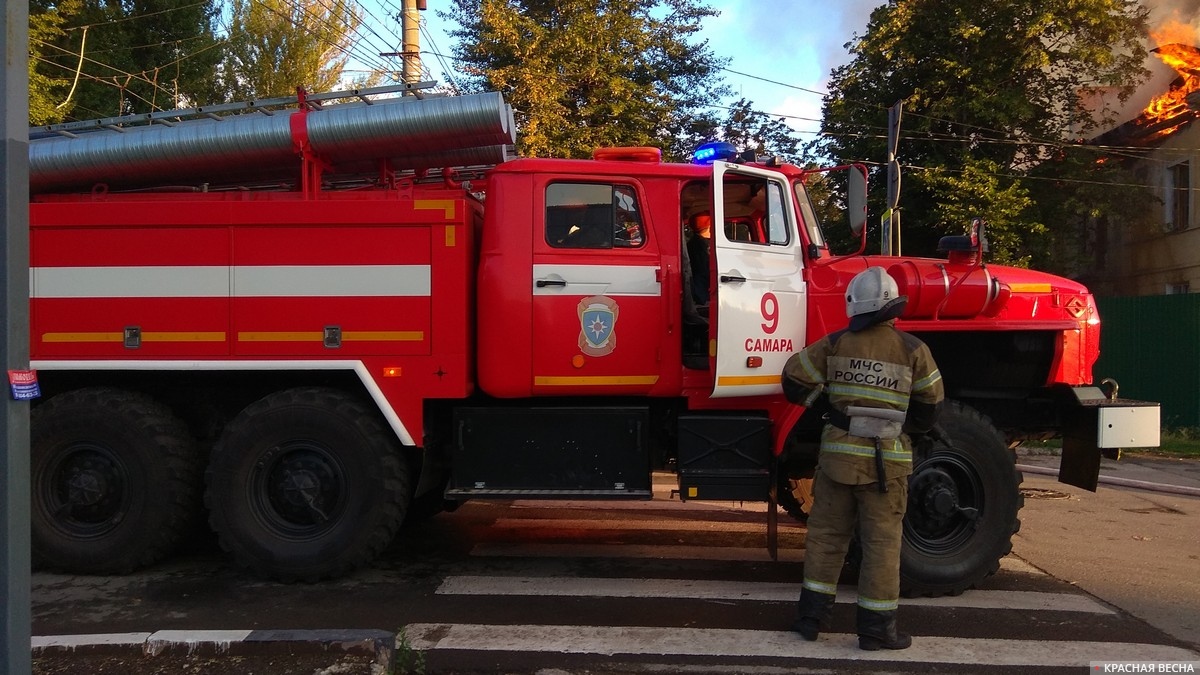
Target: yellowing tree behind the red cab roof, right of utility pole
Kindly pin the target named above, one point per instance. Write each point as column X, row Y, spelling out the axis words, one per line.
column 587, row 74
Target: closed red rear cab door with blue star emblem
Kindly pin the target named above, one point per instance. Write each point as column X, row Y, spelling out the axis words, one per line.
column 599, row 316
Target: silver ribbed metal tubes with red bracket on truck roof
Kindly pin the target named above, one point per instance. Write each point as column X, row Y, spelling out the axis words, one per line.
column 302, row 140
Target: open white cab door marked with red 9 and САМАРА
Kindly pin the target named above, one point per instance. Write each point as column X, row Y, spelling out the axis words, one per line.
column 760, row 318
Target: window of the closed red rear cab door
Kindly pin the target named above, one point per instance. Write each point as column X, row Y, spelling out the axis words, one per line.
column 589, row 216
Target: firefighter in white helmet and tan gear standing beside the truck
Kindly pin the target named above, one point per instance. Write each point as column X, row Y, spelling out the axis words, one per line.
column 881, row 386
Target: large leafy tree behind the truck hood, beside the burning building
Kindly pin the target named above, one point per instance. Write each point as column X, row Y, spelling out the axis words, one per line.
column 991, row 91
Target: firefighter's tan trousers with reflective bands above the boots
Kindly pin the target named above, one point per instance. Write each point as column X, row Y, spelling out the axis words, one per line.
column 837, row 510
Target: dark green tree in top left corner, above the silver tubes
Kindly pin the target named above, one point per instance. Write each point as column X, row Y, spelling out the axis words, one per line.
column 137, row 56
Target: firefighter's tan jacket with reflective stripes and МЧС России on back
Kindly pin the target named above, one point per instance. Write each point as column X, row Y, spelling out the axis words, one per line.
column 881, row 368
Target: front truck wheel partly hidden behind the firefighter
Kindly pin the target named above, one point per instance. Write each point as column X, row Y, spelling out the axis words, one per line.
column 963, row 505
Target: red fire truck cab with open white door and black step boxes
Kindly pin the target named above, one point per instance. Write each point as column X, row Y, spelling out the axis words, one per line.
column 585, row 292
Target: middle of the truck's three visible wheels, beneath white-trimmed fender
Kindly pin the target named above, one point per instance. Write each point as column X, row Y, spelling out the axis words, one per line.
column 307, row 485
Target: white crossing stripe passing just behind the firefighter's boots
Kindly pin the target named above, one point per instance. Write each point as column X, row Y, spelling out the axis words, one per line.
column 751, row 592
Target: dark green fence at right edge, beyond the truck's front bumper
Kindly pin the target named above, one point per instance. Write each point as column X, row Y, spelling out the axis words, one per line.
column 1151, row 347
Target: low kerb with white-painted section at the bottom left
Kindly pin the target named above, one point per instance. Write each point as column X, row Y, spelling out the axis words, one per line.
column 379, row 644
